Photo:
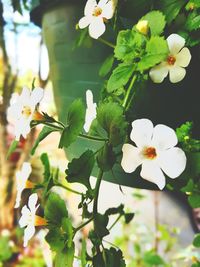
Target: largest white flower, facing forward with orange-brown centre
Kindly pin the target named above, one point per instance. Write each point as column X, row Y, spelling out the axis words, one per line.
column 155, row 150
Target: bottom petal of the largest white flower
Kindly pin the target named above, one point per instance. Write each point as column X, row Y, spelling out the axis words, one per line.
column 152, row 173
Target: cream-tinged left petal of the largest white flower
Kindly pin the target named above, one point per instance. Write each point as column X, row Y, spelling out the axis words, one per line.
column 131, row 158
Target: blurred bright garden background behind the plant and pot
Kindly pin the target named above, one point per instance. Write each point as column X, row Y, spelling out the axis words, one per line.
column 162, row 222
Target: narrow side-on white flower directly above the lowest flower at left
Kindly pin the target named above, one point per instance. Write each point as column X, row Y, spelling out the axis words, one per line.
column 22, row 181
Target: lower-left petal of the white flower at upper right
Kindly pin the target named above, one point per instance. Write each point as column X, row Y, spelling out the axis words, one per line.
column 159, row 72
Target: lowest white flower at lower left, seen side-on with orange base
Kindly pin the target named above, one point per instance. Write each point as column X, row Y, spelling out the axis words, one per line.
column 29, row 219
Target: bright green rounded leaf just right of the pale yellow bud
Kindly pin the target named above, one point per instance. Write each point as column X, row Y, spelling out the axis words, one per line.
column 156, row 22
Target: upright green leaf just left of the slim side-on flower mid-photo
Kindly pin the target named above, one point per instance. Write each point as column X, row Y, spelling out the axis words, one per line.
column 75, row 122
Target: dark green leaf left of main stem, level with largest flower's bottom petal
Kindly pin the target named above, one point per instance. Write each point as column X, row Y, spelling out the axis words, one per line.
column 79, row 169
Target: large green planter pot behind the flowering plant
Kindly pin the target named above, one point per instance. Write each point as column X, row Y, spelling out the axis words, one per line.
column 73, row 71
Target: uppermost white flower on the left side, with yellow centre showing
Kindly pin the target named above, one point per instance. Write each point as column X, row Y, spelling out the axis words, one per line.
column 22, row 108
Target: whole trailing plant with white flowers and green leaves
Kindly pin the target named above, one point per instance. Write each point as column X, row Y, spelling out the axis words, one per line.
column 142, row 54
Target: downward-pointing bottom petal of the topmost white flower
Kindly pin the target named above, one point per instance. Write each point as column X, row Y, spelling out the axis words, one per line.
column 97, row 27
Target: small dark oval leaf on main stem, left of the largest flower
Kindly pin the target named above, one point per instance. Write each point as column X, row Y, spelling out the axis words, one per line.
column 106, row 158
